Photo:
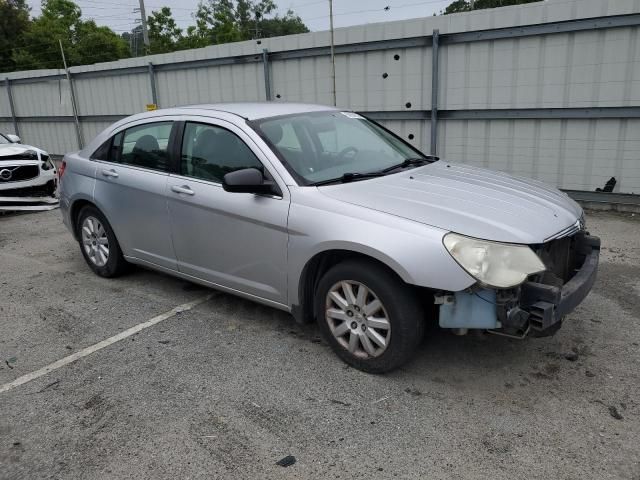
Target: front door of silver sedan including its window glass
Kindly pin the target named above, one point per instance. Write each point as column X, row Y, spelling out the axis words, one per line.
column 235, row 240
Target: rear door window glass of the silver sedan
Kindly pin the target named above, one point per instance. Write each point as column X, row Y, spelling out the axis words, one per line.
column 145, row 145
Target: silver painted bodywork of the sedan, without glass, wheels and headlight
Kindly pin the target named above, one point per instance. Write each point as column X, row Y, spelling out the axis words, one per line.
column 266, row 242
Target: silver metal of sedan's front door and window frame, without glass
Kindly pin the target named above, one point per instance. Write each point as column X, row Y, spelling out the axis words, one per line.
column 238, row 240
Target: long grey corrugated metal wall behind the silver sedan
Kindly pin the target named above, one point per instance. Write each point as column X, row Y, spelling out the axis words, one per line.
column 587, row 68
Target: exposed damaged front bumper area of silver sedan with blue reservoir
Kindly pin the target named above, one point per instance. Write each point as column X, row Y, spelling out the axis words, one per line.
column 538, row 306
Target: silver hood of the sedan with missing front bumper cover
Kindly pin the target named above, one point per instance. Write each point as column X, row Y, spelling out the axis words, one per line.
column 468, row 200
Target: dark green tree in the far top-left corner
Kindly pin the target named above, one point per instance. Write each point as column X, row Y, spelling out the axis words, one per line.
column 14, row 20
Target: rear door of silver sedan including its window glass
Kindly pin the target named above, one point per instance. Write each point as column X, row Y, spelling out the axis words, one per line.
column 131, row 181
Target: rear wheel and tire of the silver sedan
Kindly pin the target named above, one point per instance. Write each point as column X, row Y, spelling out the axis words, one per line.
column 92, row 226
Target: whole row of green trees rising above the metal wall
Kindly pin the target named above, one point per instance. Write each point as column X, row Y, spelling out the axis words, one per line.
column 27, row 44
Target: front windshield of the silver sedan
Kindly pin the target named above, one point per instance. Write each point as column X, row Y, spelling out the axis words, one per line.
column 322, row 146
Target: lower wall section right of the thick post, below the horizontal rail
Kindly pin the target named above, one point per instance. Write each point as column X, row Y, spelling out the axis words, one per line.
column 573, row 154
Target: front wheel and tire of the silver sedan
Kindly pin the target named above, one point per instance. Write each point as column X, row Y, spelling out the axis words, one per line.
column 398, row 305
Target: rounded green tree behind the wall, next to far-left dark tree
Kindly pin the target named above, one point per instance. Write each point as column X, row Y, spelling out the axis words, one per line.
column 83, row 41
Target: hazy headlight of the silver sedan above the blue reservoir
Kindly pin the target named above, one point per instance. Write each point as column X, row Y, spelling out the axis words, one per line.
column 493, row 264
